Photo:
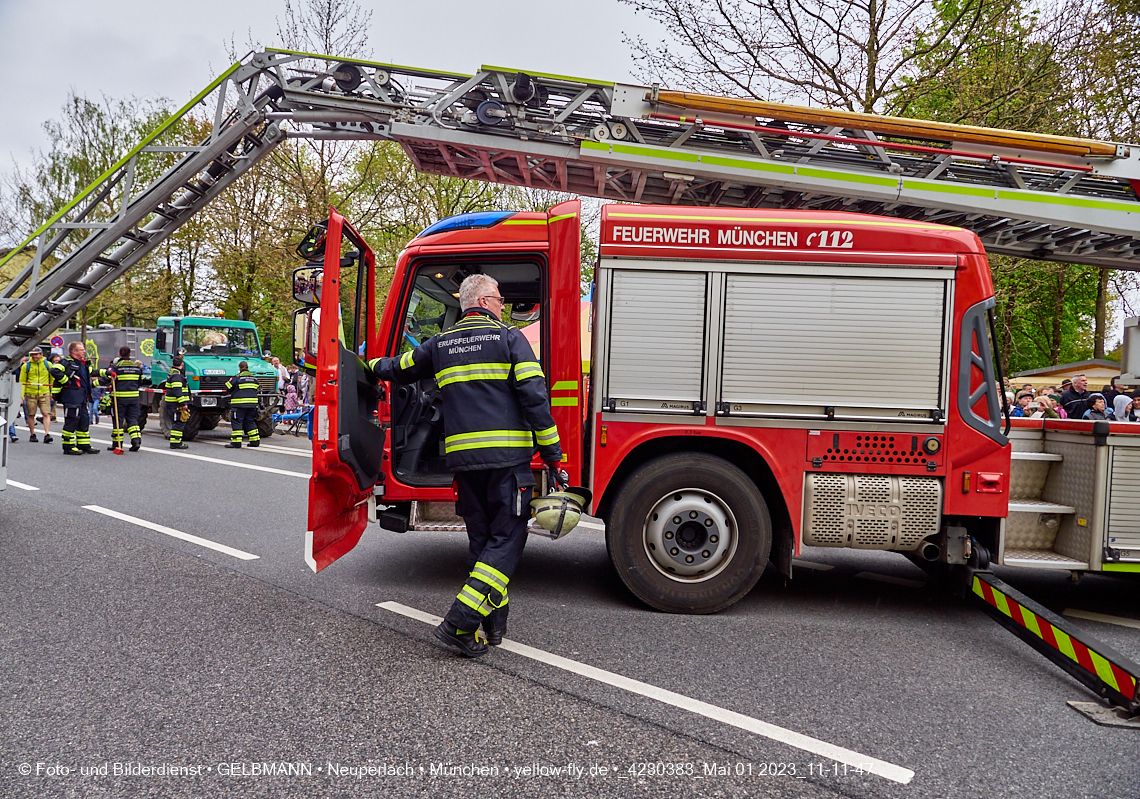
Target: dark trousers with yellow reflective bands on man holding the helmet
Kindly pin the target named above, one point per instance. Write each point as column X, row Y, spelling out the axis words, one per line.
column 495, row 506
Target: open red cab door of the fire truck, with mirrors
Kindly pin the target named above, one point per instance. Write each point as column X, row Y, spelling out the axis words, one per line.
column 348, row 442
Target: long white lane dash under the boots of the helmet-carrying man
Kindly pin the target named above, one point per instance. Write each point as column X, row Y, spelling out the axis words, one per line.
column 810, row 745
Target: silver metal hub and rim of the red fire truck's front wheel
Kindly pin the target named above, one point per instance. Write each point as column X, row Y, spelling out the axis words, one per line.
column 690, row 535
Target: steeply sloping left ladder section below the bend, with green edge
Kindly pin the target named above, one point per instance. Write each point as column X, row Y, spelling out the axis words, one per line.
column 116, row 222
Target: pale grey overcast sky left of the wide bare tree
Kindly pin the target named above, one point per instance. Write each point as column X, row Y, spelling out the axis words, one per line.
column 167, row 50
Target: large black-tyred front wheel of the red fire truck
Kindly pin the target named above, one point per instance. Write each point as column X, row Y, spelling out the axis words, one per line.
column 689, row 534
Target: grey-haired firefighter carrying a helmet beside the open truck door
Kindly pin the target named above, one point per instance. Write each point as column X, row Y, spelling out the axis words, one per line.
column 495, row 412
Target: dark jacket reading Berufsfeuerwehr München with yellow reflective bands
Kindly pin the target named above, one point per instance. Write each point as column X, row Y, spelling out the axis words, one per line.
column 495, row 405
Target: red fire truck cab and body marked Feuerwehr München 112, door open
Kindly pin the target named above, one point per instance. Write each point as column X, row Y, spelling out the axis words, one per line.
column 760, row 381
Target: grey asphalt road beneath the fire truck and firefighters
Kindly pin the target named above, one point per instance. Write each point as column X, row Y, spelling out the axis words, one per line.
column 127, row 646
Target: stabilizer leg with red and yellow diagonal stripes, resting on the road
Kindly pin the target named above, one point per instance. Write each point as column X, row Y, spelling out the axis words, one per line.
column 1109, row 674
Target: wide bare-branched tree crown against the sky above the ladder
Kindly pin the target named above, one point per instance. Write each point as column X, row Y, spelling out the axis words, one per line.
column 848, row 54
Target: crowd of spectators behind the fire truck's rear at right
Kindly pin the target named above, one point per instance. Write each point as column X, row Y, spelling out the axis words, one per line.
column 1073, row 401
